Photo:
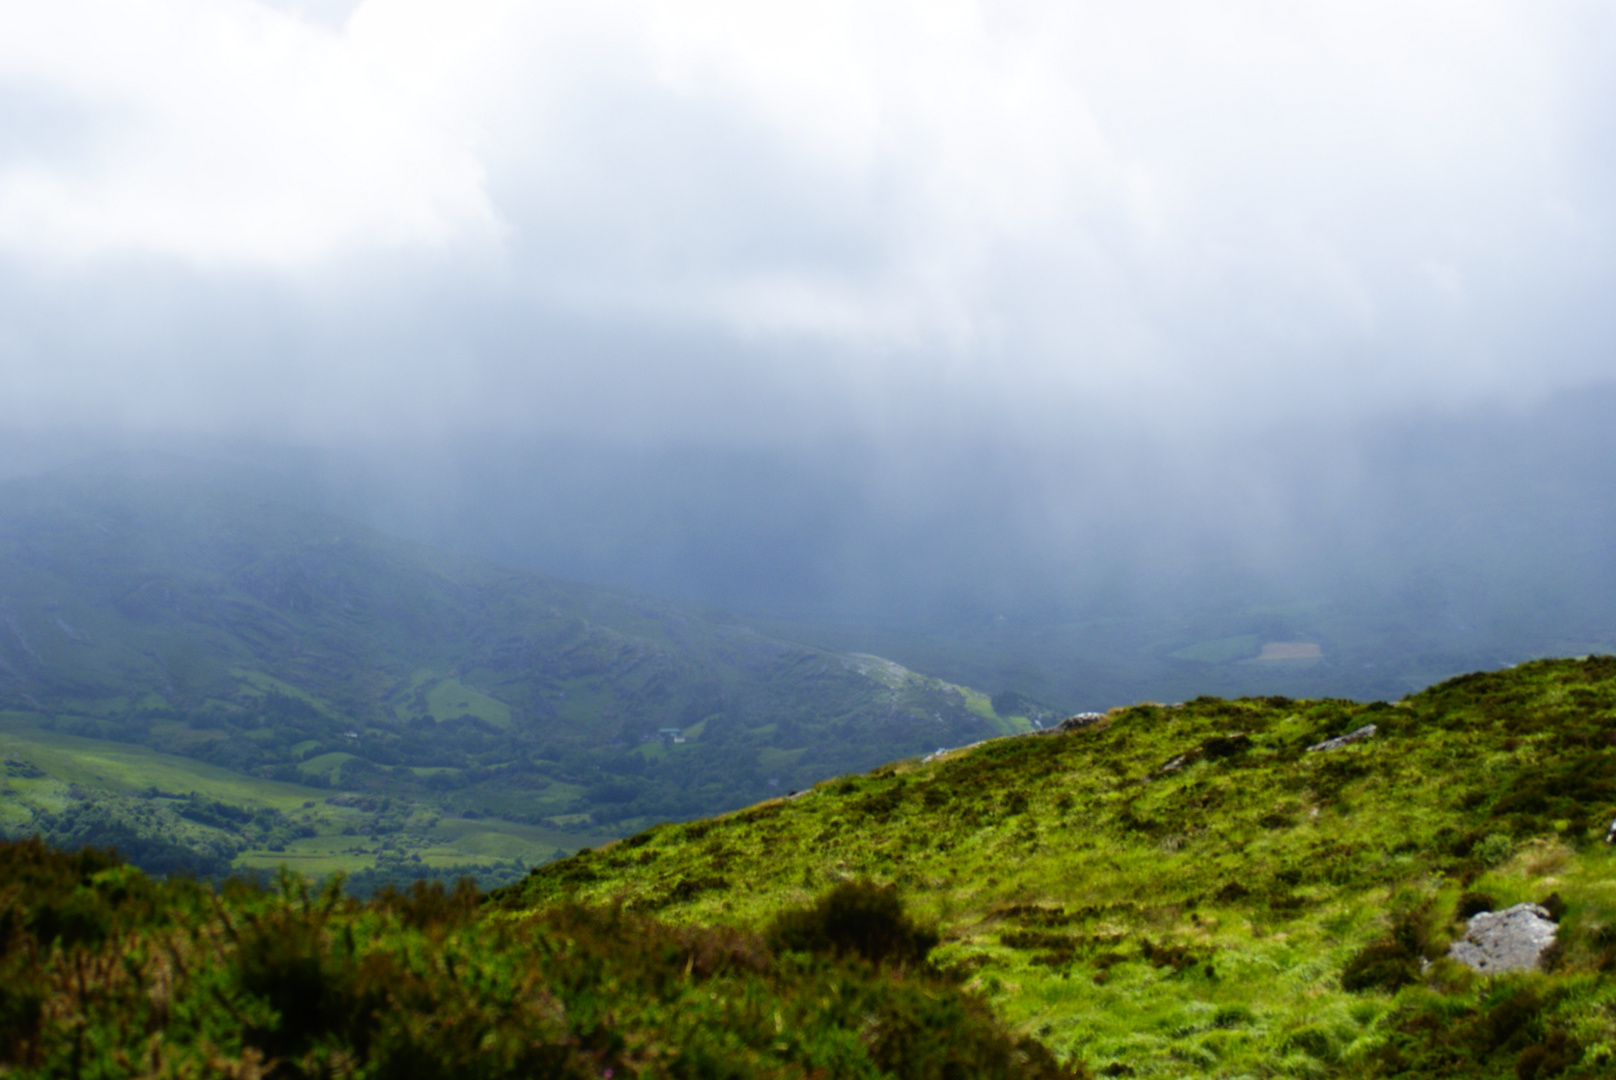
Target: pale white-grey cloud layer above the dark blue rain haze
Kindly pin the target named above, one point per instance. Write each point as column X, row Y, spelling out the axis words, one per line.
column 437, row 216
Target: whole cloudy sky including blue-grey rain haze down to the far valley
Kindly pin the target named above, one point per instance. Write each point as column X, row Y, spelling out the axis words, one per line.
column 712, row 297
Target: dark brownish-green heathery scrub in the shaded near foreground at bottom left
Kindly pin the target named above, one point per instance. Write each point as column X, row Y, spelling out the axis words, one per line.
column 106, row 972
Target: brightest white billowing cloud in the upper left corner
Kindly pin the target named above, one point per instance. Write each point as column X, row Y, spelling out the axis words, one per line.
column 227, row 133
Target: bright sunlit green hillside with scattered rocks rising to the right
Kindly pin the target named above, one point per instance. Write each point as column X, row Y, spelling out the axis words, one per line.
column 1190, row 892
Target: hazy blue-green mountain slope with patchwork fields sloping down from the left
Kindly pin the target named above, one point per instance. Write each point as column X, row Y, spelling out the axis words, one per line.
column 190, row 667
